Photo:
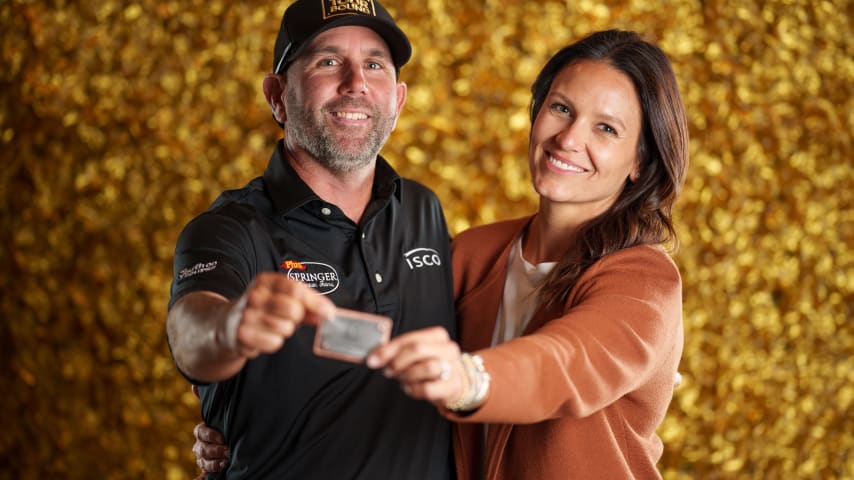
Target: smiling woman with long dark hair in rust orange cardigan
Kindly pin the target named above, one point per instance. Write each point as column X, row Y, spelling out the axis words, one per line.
column 573, row 315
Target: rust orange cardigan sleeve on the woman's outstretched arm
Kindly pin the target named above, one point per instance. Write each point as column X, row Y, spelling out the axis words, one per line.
column 618, row 333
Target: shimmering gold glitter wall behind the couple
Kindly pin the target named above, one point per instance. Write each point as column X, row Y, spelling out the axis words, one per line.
column 120, row 121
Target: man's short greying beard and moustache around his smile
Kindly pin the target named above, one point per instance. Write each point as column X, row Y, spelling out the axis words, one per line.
column 314, row 135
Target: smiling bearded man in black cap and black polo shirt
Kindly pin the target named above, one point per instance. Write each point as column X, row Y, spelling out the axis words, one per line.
column 328, row 224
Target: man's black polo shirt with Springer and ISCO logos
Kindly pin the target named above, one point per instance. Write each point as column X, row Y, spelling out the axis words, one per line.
column 293, row 415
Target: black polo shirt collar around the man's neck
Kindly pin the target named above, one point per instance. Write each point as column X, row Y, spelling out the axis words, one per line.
column 288, row 191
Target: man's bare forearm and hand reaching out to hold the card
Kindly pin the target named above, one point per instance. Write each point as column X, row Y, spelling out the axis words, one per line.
column 212, row 337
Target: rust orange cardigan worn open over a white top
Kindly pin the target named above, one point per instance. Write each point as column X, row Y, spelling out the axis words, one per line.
column 581, row 394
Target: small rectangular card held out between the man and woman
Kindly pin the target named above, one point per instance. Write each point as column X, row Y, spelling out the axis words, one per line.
column 351, row 335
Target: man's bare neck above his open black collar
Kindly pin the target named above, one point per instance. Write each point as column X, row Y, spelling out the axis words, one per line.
column 350, row 191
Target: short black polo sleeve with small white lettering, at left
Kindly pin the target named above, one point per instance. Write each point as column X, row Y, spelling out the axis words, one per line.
column 214, row 253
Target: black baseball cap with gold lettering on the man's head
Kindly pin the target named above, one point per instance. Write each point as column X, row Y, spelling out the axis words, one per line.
column 305, row 19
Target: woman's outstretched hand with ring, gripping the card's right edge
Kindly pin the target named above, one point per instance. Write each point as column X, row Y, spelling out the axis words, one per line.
column 426, row 363
